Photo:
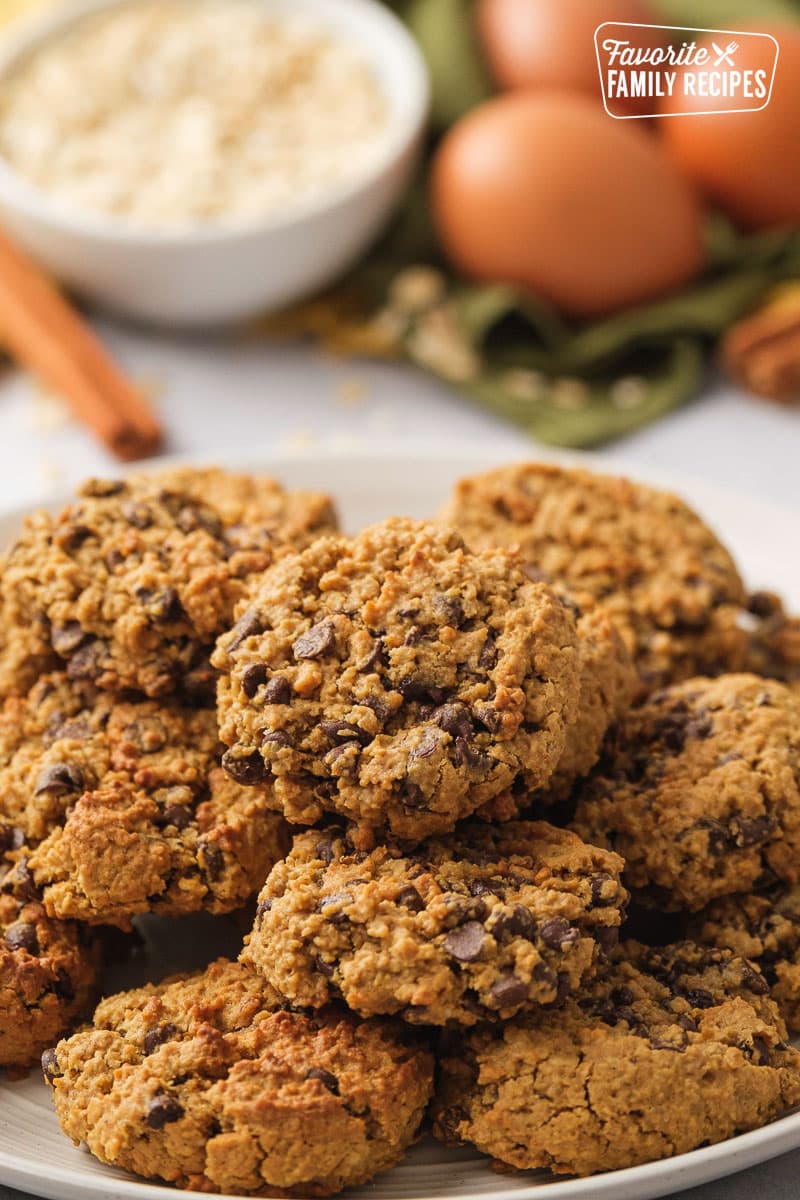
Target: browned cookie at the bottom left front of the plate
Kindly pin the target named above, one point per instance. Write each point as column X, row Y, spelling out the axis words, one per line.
column 200, row 1082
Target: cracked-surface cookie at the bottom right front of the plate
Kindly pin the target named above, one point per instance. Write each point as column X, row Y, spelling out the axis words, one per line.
column 665, row 1052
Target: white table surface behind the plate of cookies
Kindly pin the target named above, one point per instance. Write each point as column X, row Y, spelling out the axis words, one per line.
column 214, row 394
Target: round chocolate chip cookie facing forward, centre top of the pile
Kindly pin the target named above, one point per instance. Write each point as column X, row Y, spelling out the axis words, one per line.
column 398, row 680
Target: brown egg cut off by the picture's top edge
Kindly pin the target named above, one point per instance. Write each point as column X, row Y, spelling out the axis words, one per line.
column 551, row 44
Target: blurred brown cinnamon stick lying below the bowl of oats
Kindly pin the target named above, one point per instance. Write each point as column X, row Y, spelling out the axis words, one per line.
column 45, row 334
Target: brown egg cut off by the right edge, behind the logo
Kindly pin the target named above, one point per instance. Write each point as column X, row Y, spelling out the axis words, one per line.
column 745, row 163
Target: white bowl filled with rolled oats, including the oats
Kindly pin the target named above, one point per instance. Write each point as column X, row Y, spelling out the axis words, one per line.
column 197, row 163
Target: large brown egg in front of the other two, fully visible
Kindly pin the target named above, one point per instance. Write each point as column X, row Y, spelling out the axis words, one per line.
column 546, row 191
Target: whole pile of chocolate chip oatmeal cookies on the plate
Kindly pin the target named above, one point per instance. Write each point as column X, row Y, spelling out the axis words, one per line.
column 447, row 754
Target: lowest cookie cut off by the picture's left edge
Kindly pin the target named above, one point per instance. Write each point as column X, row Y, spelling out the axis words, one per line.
column 49, row 976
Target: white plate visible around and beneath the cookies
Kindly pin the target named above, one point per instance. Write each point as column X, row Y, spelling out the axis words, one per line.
column 34, row 1156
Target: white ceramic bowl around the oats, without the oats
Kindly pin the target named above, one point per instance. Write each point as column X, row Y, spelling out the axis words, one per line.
column 218, row 274
